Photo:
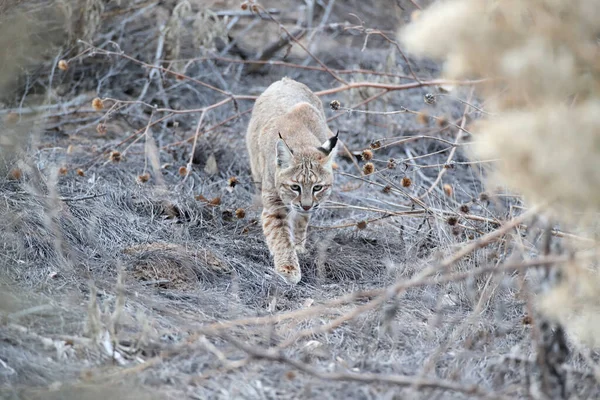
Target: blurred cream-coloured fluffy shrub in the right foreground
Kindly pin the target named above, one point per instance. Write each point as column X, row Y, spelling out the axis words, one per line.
column 542, row 62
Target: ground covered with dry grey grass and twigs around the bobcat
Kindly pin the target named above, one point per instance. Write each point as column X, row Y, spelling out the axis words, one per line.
column 127, row 274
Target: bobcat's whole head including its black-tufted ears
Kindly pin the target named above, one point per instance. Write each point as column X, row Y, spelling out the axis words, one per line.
column 304, row 181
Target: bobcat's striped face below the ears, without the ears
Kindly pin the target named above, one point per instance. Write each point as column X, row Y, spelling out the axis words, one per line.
column 305, row 184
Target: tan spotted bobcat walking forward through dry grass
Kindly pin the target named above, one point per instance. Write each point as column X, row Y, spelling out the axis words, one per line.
column 291, row 155
